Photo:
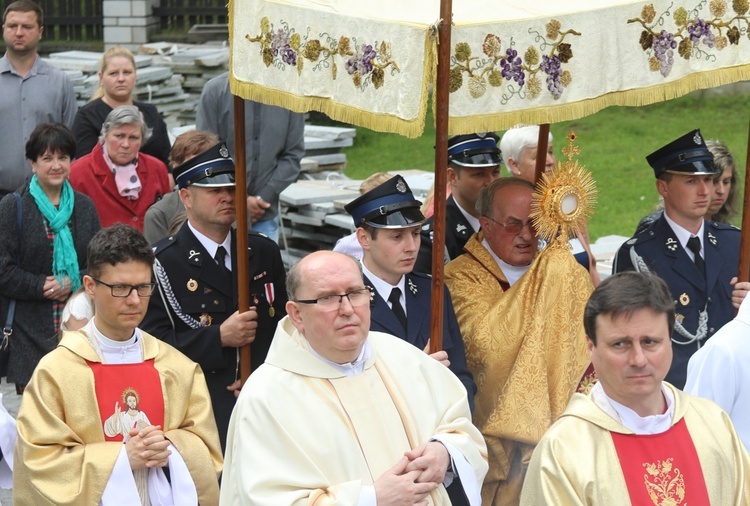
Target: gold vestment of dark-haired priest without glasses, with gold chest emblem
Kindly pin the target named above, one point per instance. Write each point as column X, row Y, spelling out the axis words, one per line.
column 576, row 463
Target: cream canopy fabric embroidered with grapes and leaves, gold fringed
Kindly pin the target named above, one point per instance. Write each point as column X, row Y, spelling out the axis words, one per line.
column 371, row 63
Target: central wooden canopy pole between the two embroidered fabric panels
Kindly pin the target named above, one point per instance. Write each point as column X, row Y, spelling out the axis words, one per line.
column 441, row 98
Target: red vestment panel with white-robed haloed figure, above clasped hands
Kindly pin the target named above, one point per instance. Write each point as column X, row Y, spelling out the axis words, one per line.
column 129, row 397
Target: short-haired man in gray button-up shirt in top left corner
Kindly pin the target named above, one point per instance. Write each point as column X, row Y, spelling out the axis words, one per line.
column 34, row 92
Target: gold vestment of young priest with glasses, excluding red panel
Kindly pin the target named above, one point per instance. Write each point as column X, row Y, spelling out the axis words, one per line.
column 61, row 443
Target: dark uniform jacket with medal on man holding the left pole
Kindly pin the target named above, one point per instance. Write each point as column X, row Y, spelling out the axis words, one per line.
column 204, row 291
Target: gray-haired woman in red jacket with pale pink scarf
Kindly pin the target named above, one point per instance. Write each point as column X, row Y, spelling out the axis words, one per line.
column 122, row 182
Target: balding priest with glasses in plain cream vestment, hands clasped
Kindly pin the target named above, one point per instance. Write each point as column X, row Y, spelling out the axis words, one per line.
column 341, row 415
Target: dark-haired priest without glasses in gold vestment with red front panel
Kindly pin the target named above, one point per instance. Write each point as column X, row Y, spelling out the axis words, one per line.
column 636, row 439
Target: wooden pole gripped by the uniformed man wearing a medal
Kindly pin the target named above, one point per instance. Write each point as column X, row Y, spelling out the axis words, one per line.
column 243, row 275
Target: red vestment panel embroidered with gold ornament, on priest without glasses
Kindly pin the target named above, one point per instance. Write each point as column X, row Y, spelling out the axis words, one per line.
column 662, row 468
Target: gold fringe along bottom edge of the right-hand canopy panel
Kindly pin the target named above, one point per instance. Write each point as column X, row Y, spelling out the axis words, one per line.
column 576, row 110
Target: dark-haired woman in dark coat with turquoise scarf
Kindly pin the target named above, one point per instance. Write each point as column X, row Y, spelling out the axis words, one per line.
column 42, row 263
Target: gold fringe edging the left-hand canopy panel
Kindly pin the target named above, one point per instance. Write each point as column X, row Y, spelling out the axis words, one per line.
column 380, row 122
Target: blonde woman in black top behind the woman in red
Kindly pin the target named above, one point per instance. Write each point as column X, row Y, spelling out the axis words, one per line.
column 116, row 83
